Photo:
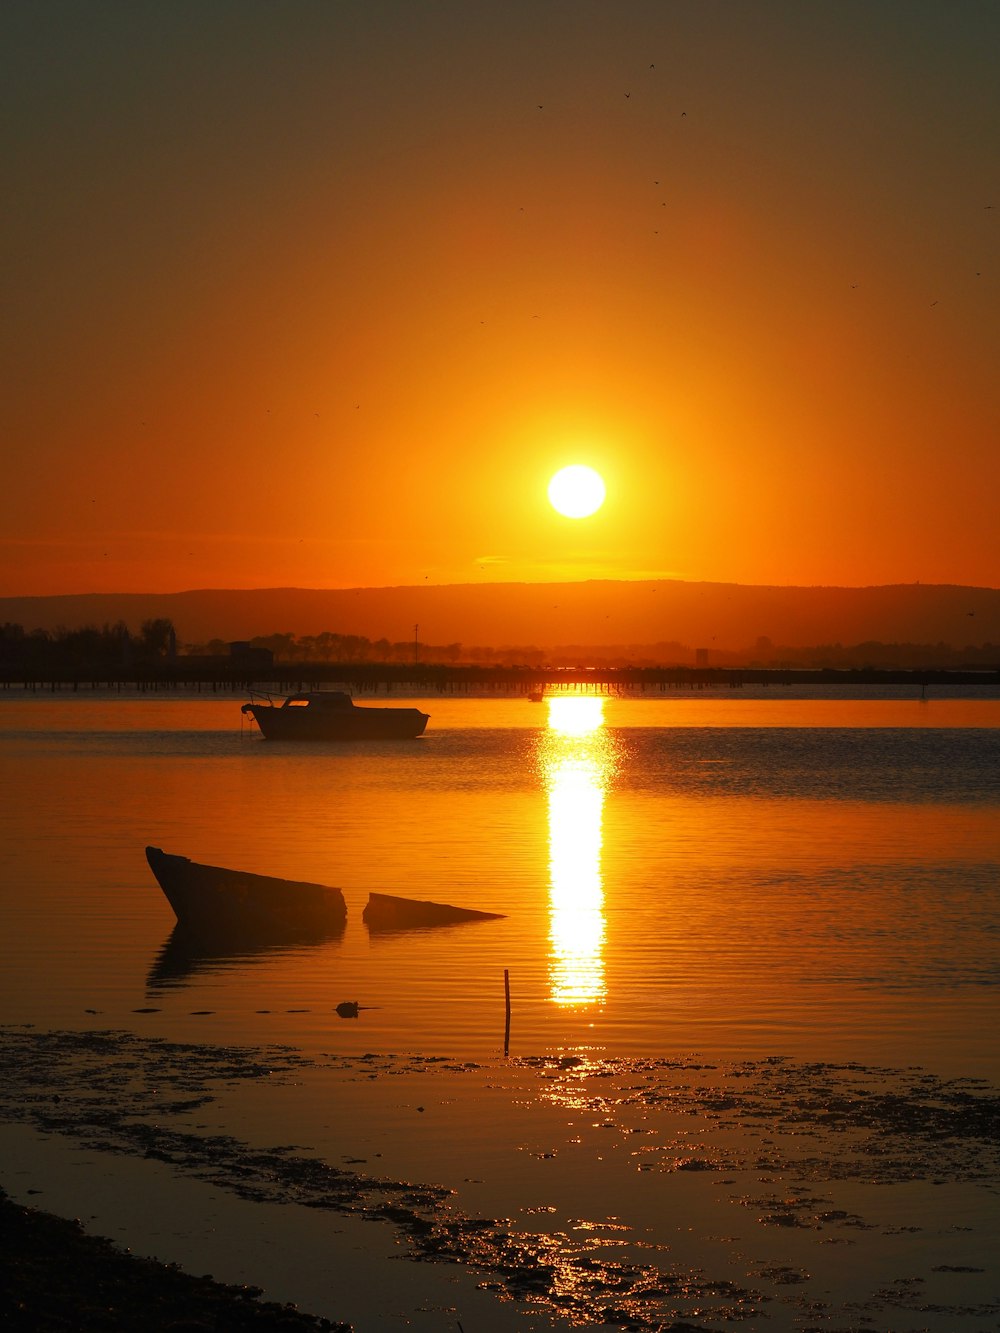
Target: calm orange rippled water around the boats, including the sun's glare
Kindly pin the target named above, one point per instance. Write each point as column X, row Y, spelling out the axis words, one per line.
column 771, row 875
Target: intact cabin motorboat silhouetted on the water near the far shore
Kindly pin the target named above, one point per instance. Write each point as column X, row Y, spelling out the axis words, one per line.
column 331, row 715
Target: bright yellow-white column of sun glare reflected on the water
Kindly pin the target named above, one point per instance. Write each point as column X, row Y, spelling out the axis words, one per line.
column 578, row 759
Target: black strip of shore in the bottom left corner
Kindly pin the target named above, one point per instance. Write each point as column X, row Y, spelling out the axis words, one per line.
column 57, row 1279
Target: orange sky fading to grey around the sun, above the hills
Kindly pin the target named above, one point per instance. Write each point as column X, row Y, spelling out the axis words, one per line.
column 321, row 295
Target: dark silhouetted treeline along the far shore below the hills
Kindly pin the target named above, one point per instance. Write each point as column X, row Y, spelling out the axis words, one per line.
column 114, row 647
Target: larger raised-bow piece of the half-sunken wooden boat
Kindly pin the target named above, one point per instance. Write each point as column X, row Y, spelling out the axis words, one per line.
column 215, row 902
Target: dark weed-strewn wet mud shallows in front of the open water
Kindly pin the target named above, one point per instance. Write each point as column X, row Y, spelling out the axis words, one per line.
column 645, row 1195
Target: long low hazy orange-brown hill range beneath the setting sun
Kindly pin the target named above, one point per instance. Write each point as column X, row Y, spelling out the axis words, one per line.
column 701, row 615
